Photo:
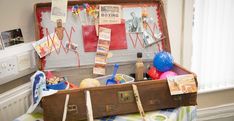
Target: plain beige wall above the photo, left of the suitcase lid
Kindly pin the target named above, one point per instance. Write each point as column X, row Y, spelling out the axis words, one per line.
column 18, row 14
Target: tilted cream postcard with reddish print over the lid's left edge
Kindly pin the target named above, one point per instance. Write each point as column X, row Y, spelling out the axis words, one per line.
column 46, row 45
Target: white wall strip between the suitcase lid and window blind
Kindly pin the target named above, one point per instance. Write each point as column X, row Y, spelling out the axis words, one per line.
column 179, row 15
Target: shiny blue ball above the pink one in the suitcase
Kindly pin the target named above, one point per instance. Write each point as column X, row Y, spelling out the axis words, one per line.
column 163, row 61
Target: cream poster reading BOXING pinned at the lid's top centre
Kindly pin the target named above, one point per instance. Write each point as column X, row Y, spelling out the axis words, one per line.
column 109, row 14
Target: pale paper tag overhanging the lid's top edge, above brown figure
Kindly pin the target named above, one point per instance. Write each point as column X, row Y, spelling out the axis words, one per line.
column 59, row 10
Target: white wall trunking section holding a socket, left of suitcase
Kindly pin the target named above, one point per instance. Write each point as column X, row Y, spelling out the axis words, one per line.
column 17, row 61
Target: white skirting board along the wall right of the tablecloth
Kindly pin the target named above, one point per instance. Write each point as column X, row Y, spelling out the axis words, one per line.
column 216, row 112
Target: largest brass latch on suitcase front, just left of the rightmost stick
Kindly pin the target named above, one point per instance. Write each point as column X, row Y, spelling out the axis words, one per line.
column 125, row 96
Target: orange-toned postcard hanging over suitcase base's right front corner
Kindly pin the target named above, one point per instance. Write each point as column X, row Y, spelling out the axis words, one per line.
column 182, row 84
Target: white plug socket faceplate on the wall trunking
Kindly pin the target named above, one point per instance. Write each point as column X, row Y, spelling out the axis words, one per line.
column 8, row 67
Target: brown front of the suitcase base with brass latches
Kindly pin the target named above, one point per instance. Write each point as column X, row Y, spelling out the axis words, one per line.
column 106, row 100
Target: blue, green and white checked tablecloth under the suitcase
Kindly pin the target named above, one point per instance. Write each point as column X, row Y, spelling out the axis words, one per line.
column 187, row 113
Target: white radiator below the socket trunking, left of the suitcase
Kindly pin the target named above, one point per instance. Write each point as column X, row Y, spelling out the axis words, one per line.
column 15, row 102
